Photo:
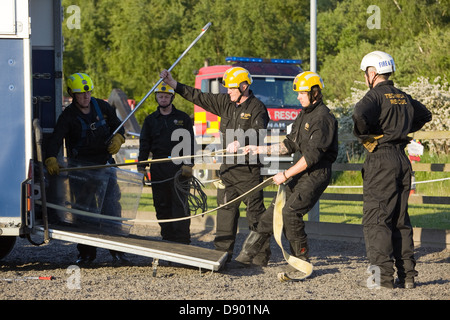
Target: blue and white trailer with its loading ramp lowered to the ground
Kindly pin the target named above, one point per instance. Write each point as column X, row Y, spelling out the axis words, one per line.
column 31, row 55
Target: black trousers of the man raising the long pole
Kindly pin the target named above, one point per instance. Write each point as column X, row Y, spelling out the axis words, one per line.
column 238, row 179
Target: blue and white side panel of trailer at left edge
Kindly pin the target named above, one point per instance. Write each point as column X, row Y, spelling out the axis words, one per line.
column 15, row 110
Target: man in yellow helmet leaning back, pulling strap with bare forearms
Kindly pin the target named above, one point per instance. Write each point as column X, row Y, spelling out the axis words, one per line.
column 314, row 135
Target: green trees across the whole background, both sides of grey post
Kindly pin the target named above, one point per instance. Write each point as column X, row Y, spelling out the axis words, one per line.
column 125, row 44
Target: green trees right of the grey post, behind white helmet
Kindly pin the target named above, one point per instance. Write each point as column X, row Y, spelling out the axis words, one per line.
column 414, row 33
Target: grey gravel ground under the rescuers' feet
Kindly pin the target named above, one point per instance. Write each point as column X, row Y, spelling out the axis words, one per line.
column 338, row 266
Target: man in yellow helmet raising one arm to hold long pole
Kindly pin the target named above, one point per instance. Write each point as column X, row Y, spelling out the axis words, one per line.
column 238, row 109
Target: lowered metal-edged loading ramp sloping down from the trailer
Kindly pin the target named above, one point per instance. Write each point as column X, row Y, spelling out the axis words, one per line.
column 174, row 252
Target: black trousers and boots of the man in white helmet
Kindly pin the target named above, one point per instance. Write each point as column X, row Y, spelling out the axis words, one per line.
column 387, row 228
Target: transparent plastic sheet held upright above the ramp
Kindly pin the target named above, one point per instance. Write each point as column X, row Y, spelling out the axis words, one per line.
column 110, row 192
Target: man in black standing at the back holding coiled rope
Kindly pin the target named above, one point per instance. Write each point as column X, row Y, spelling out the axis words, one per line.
column 156, row 137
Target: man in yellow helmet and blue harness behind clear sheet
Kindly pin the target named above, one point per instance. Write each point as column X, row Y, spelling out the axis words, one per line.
column 86, row 124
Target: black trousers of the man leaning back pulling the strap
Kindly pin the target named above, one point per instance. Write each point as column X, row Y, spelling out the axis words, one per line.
column 302, row 193
